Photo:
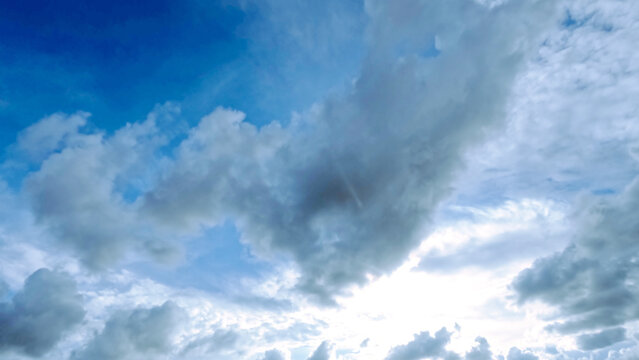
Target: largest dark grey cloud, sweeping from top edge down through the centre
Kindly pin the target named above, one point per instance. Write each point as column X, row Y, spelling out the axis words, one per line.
column 347, row 189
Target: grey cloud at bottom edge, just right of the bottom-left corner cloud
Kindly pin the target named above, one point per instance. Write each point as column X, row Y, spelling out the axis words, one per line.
column 139, row 333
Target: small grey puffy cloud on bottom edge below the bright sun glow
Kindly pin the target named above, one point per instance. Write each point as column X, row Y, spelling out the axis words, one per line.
column 424, row 346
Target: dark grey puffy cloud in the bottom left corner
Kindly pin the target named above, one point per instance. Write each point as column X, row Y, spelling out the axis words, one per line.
column 41, row 313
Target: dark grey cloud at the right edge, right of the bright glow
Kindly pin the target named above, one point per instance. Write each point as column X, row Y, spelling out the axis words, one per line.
column 591, row 282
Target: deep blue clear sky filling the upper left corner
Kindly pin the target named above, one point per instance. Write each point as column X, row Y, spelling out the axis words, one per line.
column 117, row 59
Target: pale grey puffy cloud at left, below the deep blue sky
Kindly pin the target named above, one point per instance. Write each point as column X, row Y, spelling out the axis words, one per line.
column 79, row 192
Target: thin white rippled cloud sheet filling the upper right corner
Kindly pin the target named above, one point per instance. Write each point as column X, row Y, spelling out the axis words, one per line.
column 572, row 121
